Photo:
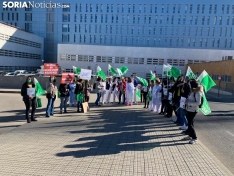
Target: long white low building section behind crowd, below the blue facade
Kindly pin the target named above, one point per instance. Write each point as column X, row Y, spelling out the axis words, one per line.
column 139, row 60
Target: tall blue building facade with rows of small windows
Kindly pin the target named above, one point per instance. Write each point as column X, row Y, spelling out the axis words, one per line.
column 149, row 24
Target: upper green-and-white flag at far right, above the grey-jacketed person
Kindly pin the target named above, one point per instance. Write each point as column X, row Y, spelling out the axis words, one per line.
column 205, row 80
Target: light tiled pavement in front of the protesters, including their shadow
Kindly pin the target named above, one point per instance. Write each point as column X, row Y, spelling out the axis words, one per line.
column 109, row 140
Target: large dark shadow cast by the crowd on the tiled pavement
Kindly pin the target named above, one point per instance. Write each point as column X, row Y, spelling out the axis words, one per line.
column 114, row 131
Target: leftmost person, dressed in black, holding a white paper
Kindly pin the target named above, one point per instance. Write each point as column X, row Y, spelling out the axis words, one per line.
column 29, row 100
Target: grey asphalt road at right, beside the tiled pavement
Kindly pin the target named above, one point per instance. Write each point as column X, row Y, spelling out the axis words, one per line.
column 216, row 130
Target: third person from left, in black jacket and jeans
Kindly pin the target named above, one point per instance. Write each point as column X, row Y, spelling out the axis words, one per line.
column 64, row 90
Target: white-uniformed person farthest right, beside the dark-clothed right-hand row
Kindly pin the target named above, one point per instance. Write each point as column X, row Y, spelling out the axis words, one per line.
column 156, row 96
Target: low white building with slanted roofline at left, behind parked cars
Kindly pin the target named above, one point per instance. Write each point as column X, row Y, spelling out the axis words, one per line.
column 20, row 50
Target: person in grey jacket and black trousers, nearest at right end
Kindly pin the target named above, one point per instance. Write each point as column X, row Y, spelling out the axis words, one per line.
column 192, row 107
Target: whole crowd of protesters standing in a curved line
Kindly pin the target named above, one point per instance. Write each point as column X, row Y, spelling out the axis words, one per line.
column 162, row 97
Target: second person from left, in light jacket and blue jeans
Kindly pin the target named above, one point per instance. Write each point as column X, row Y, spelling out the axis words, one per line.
column 51, row 95
